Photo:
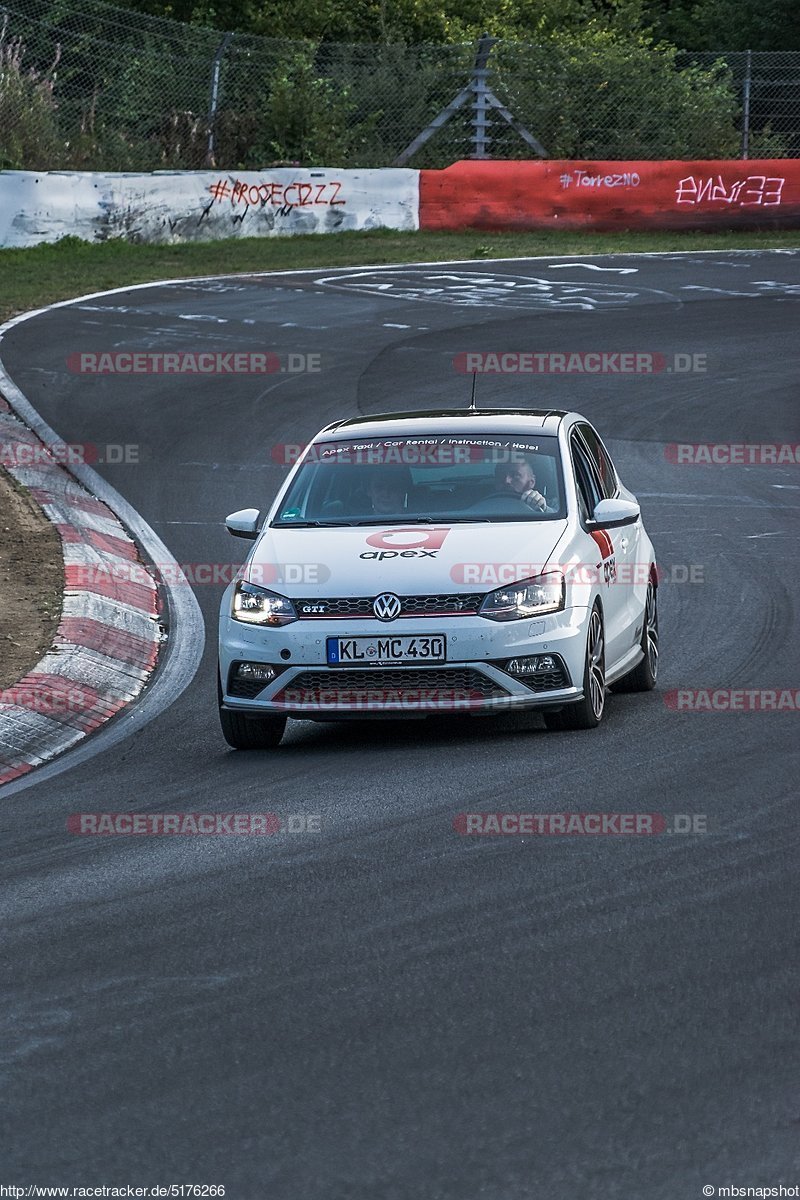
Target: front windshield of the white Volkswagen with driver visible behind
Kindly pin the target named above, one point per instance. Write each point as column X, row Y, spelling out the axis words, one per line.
column 438, row 478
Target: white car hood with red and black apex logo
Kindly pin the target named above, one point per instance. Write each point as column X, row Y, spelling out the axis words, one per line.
column 408, row 560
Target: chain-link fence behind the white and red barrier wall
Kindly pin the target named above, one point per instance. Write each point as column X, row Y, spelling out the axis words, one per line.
column 100, row 88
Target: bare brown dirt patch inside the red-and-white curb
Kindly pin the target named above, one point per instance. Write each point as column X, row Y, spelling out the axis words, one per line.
column 32, row 581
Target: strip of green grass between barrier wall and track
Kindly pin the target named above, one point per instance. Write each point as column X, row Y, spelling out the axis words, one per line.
column 33, row 278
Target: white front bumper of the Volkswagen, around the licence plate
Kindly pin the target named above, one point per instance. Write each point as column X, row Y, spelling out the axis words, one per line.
column 472, row 681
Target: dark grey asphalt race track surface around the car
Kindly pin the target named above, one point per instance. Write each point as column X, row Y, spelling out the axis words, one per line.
column 386, row 1010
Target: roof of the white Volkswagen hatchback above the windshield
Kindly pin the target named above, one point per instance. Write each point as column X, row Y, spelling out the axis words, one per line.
column 449, row 421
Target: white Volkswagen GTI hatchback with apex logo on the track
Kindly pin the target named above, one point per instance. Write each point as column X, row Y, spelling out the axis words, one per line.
column 428, row 563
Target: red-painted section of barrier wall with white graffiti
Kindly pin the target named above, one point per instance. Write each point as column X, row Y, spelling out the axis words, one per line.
column 678, row 195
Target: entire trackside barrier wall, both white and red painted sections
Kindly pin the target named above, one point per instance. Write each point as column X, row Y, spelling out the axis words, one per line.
column 495, row 196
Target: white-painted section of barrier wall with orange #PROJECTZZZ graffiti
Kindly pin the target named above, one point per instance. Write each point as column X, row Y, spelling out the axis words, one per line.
column 202, row 206
